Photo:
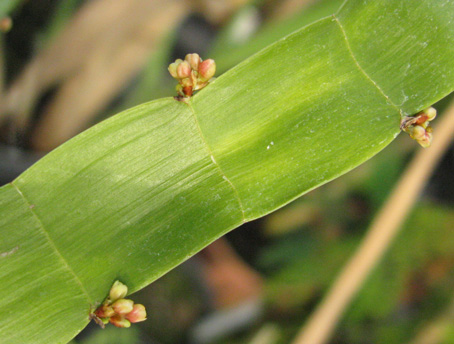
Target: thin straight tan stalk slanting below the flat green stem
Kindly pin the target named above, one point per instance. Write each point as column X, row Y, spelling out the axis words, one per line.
column 384, row 228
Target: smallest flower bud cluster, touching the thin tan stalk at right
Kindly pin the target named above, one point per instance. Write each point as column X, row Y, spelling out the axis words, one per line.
column 418, row 126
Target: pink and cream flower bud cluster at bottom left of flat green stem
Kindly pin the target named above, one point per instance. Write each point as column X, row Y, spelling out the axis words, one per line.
column 119, row 311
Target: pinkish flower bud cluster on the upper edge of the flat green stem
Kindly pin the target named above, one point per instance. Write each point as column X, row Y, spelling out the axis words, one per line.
column 192, row 74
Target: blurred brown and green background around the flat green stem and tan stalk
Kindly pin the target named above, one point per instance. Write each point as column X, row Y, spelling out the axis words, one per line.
column 67, row 64
